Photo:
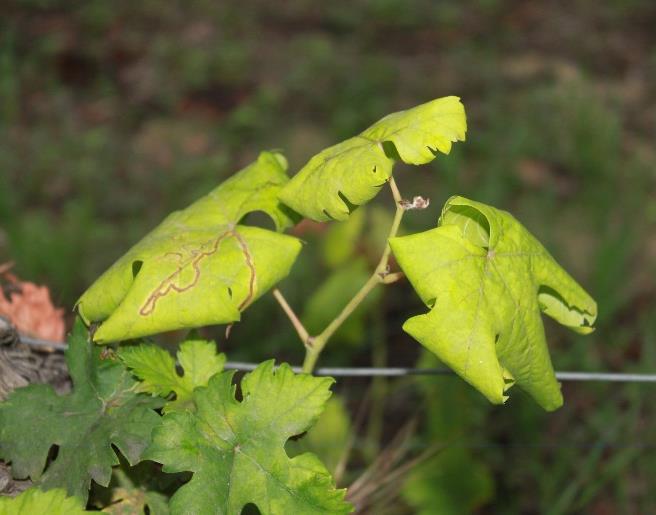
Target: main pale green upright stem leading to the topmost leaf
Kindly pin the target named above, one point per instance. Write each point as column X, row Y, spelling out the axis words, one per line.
column 380, row 275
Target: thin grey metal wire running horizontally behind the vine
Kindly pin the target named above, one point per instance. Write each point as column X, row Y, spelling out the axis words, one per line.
column 614, row 377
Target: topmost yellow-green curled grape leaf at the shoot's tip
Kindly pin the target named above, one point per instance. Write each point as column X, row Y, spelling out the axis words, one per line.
column 351, row 173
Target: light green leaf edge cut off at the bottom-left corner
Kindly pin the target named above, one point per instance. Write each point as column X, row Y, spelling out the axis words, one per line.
column 35, row 502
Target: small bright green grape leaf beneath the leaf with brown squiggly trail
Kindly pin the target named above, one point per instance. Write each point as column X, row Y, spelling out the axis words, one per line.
column 156, row 369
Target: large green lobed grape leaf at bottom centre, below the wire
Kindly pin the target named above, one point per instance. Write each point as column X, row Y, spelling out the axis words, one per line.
column 236, row 450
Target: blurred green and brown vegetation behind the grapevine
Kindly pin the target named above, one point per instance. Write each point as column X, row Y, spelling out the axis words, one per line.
column 115, row 113
